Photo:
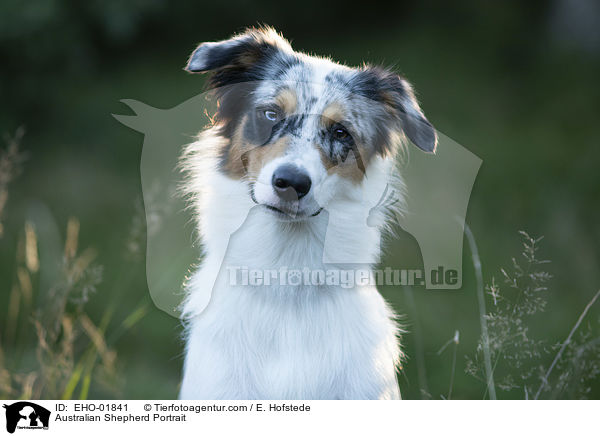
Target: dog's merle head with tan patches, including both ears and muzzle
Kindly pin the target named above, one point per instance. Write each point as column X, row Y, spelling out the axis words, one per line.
column 301, row 130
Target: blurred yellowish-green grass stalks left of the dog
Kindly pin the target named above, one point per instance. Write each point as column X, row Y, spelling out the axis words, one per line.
column 72, row 351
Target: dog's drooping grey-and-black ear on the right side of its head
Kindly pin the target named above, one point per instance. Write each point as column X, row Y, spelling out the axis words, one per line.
column 399, row 100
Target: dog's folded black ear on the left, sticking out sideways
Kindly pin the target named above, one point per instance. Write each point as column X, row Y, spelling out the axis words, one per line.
column 236, row 60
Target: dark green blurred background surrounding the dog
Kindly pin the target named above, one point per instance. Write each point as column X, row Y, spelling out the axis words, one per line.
column 514, row 82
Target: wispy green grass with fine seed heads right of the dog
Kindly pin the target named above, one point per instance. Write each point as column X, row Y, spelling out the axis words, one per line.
column 518, row 357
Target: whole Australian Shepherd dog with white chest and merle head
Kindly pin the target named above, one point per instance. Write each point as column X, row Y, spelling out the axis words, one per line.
column 284, row 179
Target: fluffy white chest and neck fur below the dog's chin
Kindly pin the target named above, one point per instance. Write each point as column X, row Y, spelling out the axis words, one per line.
column 284, row 342
